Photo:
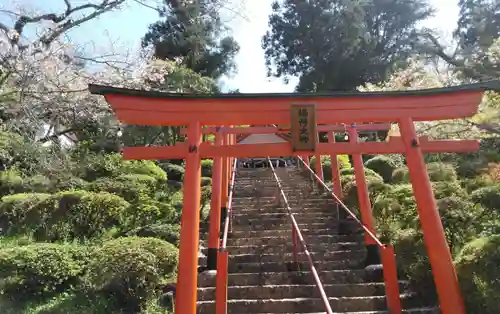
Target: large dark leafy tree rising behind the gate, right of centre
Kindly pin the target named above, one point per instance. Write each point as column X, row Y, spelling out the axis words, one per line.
column 340, row 44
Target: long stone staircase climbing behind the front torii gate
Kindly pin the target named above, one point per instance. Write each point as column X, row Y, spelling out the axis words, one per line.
column 262, row 275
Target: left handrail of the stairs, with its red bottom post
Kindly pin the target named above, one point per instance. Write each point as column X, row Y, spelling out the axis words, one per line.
column 221, row 280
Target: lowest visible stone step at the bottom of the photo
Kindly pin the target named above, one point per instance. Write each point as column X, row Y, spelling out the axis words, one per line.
column 294, row 305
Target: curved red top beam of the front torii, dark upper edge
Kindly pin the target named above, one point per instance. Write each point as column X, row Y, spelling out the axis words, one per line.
column 159, row 108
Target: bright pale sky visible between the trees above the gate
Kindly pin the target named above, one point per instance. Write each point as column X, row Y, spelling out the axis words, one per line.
column 126, row 27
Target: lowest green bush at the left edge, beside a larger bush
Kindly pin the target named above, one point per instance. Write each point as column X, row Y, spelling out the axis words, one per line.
column 41, row 269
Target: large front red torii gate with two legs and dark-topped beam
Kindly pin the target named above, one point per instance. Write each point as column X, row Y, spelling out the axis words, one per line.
column 158, row 108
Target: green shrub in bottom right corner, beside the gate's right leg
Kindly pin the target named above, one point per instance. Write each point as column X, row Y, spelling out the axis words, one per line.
column 477, row 269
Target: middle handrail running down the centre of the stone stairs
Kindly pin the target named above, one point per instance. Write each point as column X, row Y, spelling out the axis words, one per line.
column 298, row 234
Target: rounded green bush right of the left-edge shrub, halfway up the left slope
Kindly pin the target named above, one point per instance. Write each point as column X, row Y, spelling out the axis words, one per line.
column 80, row 214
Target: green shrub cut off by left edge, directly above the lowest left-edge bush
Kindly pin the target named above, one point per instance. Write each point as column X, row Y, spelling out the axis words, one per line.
column 21, row 213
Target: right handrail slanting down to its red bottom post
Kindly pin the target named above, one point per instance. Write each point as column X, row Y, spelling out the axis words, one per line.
column 387, row 253
